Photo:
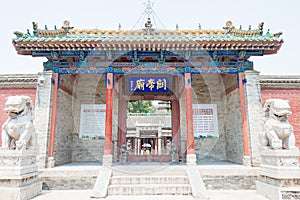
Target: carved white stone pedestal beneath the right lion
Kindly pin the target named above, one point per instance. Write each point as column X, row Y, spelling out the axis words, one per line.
column 279, row 174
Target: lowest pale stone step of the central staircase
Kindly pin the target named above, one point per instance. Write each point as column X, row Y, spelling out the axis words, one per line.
column 150, row 189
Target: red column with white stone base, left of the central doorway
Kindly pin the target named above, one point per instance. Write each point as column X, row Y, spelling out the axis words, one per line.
column 107, row 157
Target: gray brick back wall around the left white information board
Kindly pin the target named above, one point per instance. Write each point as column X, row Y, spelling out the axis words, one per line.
column 87, row 89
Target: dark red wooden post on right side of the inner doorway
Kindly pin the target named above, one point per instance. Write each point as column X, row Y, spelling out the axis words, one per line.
column 176, row 124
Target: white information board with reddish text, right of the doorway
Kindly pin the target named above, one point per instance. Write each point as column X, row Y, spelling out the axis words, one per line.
column 205, row 120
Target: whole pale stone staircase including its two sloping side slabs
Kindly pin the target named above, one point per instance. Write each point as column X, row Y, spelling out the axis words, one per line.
column 137, row 180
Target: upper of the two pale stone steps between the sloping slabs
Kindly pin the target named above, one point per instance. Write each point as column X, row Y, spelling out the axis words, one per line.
column 149, row 180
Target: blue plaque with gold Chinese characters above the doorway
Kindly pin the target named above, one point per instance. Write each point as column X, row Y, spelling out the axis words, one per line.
column 148, row 84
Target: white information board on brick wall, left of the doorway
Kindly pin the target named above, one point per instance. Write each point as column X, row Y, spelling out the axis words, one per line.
column 92, row 121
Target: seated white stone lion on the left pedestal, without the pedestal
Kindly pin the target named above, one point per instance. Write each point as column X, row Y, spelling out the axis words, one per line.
column 18, row 131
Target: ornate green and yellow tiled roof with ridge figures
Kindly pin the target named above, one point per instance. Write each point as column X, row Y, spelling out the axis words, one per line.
column 68, row 38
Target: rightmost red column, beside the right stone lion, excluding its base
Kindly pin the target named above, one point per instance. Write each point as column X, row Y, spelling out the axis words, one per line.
column 244, row 114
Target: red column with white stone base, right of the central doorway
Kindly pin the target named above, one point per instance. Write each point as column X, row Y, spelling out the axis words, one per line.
column 191, row 157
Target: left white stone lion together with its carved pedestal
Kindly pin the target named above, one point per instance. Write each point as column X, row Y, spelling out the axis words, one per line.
column 18, row 168
